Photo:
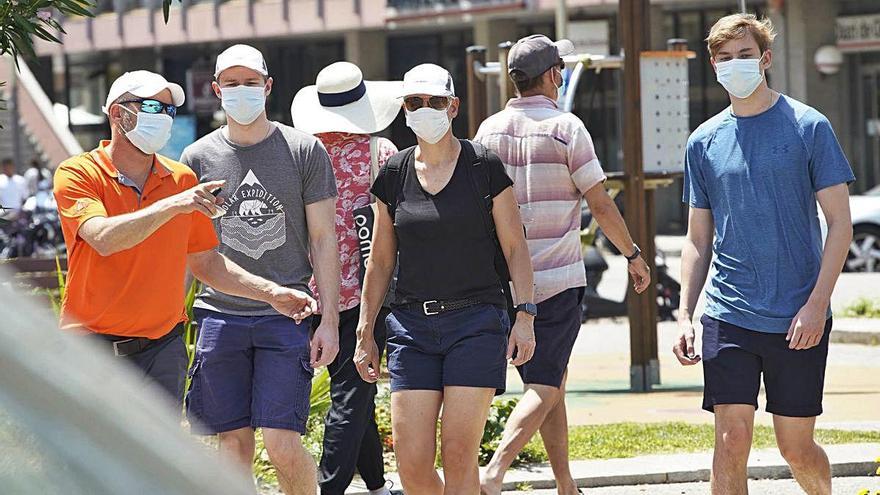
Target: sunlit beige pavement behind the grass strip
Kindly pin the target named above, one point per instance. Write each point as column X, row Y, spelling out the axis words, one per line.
column 598, row 384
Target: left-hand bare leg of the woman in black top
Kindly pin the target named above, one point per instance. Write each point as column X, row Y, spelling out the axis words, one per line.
column 414, row 416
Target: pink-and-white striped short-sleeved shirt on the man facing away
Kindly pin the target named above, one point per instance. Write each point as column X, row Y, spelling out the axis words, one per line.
column 550, row 157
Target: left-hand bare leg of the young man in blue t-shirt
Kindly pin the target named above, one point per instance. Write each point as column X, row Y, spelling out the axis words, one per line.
column 734, row 424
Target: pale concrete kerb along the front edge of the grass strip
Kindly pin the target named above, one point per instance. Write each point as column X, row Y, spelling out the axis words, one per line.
column 846, row 460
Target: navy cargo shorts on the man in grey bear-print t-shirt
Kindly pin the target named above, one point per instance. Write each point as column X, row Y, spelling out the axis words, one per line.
column 249, row 371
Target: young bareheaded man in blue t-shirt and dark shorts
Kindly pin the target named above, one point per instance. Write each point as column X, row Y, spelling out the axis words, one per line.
column 753, row 175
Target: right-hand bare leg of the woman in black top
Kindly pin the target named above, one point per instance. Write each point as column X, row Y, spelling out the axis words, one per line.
column 464, row 418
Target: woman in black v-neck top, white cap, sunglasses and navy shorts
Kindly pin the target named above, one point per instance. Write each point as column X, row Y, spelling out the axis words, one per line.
column 448, row 339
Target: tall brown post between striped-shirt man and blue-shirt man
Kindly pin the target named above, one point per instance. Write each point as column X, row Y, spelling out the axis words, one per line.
column 635, row 30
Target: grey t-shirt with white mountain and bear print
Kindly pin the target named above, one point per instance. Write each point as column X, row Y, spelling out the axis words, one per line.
column 267, row 188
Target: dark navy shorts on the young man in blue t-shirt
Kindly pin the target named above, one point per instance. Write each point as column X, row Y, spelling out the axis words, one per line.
column 735, row 358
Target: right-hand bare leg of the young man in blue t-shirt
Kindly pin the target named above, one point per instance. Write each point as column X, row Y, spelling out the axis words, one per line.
column 807, row 460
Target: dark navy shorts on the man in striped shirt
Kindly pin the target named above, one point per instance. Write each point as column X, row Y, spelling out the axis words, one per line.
column 556, row 329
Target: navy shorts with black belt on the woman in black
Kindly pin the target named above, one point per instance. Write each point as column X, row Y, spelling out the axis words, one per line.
column 462, row 348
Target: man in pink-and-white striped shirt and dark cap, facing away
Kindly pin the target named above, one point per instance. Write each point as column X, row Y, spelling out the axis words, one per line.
column 550, row 157
